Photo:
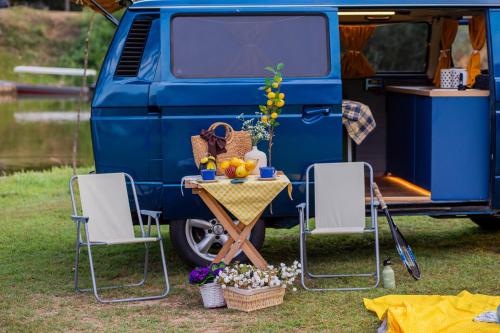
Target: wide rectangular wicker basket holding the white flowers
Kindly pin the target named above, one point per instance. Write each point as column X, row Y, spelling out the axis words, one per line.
column 255, row 299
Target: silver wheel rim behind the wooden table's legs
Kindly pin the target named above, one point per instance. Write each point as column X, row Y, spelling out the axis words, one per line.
column 206, row 238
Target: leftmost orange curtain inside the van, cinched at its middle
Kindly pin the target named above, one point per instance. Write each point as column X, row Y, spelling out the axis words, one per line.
column 354, row 39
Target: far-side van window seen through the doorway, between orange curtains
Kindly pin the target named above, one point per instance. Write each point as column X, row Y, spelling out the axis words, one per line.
column 399, row 47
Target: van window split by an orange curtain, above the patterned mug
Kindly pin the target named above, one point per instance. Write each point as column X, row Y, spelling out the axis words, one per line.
column 461, row 49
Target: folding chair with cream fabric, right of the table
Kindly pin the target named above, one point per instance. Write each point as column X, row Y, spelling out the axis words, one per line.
column 339, row 197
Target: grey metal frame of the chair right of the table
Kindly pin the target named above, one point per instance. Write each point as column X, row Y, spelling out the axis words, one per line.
column 305, row 230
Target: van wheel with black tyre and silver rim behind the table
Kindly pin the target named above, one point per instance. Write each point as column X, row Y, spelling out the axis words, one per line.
column 198, row 241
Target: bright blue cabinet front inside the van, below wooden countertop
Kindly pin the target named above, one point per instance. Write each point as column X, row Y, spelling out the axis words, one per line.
column 460, row 148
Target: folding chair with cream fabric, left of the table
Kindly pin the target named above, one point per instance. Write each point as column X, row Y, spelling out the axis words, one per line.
column 107, row 220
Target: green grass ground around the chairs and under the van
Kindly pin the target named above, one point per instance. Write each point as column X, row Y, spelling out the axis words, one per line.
column 37, row 251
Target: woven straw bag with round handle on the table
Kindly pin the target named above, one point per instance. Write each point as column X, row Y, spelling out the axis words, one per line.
column 238, row 143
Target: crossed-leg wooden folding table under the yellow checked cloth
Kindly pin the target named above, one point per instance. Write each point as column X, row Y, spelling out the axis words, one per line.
column 238, row 233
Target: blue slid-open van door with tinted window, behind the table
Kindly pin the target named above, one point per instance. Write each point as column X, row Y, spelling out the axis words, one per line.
column 213, row 63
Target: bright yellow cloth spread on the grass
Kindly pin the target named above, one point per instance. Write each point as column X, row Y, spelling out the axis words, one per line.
column 434, row 313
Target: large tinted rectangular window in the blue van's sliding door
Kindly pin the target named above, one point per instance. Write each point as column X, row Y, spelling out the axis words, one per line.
column 241, row 46
